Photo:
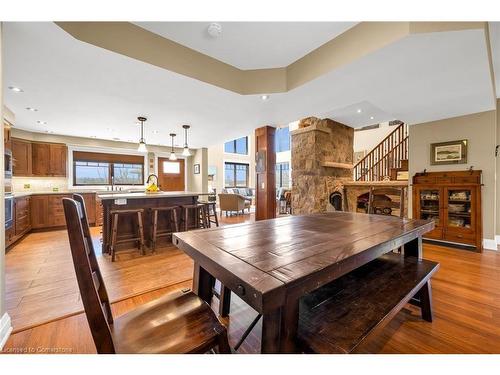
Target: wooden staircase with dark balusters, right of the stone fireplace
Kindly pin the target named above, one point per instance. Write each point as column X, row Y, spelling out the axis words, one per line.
column 388, row 157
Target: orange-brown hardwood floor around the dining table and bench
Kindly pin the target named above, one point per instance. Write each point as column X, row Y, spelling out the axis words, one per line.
column 466, row 295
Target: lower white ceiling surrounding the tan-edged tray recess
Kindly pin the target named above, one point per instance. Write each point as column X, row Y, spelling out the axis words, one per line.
column 84, row 90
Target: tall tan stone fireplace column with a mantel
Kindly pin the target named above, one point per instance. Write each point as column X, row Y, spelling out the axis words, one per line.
column 322, row 157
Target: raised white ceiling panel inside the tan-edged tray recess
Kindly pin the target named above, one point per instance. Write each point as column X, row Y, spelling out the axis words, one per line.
column 251, row 45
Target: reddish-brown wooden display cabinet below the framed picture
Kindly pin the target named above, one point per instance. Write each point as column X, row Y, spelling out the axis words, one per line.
column 453, row 201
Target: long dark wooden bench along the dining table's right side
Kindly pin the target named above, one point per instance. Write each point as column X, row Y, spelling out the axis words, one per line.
column 337, row 317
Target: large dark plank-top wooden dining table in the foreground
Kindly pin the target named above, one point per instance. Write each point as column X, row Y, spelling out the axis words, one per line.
column 271, row 264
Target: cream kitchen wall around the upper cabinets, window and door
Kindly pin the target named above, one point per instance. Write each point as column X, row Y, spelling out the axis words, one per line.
column 47, row 183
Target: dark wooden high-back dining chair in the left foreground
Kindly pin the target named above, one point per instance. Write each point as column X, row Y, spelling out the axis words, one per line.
column 179, row 322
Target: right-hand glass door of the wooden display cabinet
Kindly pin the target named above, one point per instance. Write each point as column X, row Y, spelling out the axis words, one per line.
column 459, row 209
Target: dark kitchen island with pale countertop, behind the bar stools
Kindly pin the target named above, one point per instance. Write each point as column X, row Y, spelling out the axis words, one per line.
column 127, row 224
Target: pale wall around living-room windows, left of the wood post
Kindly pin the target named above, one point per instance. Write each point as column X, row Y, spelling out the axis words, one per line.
column 217, row 157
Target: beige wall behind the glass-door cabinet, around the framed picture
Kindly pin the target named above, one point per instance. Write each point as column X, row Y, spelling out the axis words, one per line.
column 480, row 129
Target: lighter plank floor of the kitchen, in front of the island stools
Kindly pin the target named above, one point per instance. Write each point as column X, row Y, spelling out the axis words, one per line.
column 41, row 283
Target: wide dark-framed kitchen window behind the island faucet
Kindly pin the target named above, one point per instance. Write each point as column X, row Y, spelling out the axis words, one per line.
column 90, row 168
